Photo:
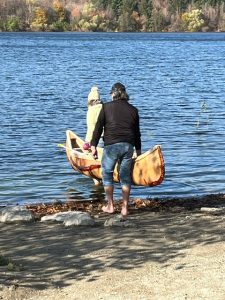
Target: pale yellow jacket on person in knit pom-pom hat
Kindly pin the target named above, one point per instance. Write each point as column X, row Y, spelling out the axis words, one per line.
column 92, row 117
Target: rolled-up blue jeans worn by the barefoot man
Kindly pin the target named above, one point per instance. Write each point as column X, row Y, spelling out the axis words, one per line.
column 121, row 153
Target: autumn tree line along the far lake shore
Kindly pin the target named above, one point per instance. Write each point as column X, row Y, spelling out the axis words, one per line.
column 112, row 15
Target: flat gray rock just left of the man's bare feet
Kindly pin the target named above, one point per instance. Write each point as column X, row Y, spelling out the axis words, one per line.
column 70, row 218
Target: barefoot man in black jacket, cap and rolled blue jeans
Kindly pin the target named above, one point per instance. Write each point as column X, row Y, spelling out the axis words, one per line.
column 120, row 122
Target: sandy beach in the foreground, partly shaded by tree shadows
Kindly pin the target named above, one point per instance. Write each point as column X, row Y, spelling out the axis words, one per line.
column 175, row 252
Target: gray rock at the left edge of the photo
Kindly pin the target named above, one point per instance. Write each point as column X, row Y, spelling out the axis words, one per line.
column 14, row 214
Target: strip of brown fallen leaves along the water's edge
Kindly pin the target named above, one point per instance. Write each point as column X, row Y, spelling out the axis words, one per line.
column 94, row 206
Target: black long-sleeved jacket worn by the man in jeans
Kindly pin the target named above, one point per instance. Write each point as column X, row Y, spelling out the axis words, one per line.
column 120, row 121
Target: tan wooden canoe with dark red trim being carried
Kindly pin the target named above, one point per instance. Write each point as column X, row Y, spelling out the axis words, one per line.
column 148, row 169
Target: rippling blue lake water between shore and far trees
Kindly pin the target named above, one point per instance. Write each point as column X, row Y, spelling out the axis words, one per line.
column 177, row 81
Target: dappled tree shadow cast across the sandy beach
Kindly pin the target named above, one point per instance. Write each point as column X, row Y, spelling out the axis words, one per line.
column 51, row 255
